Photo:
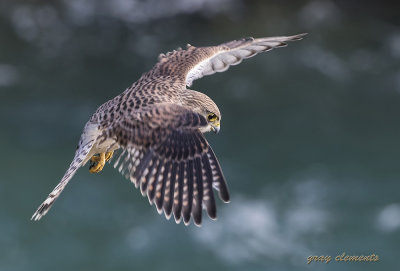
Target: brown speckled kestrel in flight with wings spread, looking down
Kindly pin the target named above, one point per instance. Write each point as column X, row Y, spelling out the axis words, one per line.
column 159, row 124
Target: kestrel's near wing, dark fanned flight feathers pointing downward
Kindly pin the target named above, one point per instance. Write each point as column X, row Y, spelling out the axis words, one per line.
column 168, row 157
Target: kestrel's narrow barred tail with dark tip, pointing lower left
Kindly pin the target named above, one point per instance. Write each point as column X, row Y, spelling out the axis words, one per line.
column 79, row 160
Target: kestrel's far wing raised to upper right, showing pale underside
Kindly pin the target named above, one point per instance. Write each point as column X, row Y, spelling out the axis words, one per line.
column 185, row 66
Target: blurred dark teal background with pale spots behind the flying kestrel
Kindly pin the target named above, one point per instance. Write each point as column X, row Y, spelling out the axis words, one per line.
column 309, row 141
